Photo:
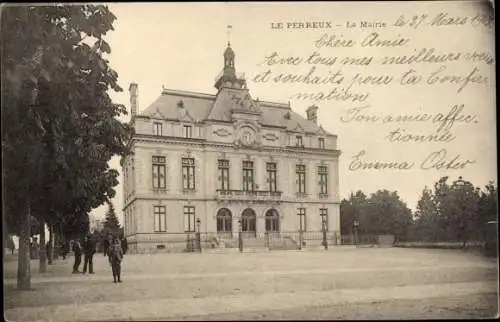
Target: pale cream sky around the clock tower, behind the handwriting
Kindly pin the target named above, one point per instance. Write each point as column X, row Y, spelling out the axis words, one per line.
column 180, row 46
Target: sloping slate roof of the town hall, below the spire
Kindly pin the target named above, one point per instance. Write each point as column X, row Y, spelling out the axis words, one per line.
column 201, row 107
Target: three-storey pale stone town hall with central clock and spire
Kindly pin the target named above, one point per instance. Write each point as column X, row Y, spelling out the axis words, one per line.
column 227, row 163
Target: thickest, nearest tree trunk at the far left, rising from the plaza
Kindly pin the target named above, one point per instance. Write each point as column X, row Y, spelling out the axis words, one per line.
column 23, row 261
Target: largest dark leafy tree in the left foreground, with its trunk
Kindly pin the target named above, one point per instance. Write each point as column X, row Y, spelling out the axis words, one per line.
column 60, row 127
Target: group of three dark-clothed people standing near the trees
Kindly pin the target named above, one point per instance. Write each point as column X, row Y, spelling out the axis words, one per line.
column 114, row 248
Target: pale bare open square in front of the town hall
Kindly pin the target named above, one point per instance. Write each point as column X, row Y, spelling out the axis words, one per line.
column 339, row 283
